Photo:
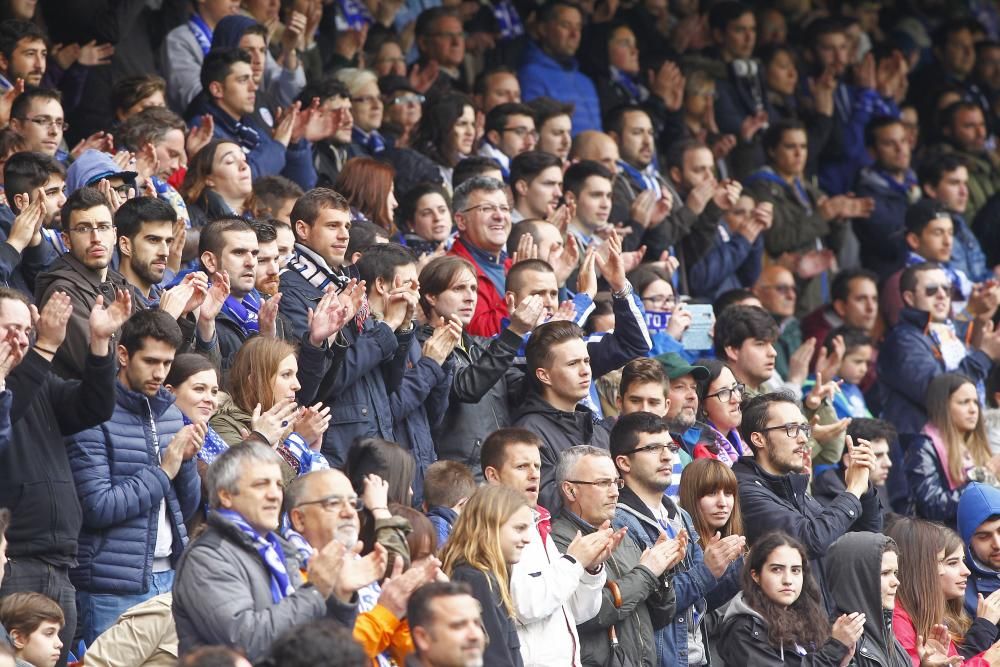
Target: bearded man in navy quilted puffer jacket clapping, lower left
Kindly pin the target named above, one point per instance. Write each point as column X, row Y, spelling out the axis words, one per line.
column 140, row 478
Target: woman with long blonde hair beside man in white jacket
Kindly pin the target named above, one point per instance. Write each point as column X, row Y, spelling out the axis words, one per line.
column 494, row 527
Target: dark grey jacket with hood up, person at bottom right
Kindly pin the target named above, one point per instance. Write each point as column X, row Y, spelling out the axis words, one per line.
column 854, row 570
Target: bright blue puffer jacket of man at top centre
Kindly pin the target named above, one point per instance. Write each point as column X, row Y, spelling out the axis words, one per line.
column 541, row 75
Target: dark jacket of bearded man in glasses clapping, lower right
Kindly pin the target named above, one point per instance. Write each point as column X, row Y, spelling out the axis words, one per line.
column 781, row 502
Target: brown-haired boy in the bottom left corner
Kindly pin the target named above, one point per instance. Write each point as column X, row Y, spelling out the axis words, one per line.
column 34, row 622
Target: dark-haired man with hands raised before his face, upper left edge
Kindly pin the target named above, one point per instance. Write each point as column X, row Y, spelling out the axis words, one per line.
column 39, row 180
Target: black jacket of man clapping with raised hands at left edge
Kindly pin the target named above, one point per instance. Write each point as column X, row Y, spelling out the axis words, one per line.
column 36, row 481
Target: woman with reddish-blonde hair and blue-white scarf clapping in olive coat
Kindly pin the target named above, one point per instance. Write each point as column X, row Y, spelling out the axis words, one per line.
column 261, row 402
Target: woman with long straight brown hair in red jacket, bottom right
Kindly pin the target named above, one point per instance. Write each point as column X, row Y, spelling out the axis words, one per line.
column 929, row 609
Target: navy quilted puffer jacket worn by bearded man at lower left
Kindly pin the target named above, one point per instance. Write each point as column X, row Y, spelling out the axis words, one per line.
column 120, row 485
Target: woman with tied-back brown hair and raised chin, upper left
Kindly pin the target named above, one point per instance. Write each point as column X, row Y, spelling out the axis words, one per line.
column 217, row 182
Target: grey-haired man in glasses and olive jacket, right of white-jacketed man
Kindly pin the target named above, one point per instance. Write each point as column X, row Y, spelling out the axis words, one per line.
column 589, row 487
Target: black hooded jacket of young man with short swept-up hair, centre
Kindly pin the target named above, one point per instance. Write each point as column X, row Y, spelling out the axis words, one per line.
column 559, row 431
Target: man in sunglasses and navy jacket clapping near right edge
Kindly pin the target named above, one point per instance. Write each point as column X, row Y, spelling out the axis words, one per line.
column 925, row 343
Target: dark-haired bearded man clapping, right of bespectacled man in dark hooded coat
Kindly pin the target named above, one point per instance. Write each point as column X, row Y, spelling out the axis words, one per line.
column 145, row 235
